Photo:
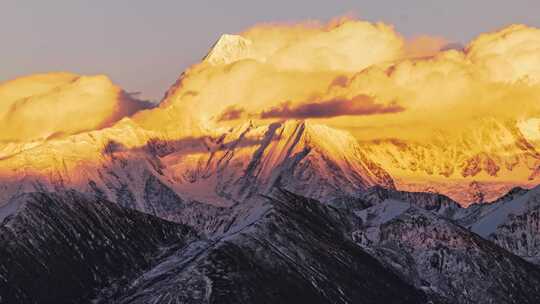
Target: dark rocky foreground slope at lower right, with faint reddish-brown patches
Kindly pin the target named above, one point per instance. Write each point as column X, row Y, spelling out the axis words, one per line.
column 450, row 263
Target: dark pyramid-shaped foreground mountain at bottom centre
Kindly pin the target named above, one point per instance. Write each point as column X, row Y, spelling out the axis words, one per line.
column 294, row 250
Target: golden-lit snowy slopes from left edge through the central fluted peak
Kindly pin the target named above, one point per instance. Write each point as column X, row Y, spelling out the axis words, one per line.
column 143, row 170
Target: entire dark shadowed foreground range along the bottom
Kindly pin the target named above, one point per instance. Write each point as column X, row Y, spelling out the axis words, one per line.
column 386, row 246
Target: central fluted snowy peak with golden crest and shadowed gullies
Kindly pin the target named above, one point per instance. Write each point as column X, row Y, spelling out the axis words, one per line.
column 310, row 159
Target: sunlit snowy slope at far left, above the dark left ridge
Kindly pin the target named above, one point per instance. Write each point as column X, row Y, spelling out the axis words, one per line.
column 105, row 164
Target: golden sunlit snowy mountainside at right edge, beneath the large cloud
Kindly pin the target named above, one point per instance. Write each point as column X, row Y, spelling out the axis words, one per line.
column 479, row 164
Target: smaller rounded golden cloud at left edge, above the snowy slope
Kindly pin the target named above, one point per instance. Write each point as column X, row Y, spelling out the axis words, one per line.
column 46, row 105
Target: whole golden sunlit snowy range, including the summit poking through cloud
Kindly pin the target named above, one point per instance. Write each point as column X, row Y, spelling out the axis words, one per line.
column 226, row 166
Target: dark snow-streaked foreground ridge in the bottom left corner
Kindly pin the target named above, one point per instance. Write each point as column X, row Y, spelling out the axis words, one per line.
column 65, row 247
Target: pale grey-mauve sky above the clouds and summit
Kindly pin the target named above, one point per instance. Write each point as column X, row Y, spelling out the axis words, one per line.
column 145, row 45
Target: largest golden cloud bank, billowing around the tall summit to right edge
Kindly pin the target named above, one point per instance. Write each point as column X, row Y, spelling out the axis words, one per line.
column 322, row 69
